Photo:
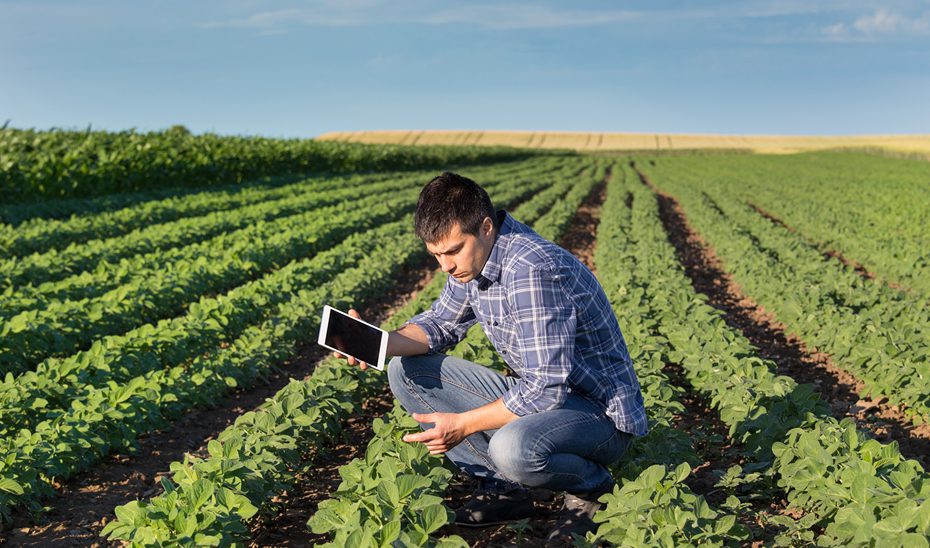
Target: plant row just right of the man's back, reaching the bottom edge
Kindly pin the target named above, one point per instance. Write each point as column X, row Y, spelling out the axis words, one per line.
column 652, row 504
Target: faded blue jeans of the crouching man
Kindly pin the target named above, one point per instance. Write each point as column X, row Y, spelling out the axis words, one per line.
column 565, row 449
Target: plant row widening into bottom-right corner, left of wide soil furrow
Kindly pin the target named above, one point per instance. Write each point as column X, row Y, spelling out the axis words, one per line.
column 852, row 488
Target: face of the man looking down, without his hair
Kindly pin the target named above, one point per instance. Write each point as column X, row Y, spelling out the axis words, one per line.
column 464, row 255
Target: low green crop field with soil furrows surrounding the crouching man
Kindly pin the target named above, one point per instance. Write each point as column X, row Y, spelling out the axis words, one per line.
column 161, row 385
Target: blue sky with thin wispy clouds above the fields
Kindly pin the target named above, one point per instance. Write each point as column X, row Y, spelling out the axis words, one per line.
column 300, row 69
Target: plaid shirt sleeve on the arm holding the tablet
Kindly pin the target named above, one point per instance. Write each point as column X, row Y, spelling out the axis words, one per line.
column 448, row 319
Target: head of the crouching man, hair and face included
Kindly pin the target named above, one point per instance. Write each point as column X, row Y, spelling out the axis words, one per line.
column 456, row 220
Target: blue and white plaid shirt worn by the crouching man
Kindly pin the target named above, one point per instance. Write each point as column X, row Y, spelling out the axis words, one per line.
column 549, row 319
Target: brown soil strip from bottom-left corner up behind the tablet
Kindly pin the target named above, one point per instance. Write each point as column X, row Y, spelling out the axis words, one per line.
column 86, row 502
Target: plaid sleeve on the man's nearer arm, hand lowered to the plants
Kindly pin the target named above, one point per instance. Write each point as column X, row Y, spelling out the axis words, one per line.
column 545, row 321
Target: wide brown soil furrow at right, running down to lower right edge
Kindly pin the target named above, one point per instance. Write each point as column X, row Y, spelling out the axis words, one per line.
column 793, row 358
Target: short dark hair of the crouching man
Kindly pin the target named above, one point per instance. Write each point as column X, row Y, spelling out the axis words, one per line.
column 449, row 199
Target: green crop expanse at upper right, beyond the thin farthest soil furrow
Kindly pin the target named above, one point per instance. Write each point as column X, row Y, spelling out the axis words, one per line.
column 872, row 210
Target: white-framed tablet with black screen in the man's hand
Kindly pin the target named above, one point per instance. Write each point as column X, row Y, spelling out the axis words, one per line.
column 352, row 337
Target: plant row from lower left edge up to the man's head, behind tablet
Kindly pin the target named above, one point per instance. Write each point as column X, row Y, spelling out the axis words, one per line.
column 43, row 443
